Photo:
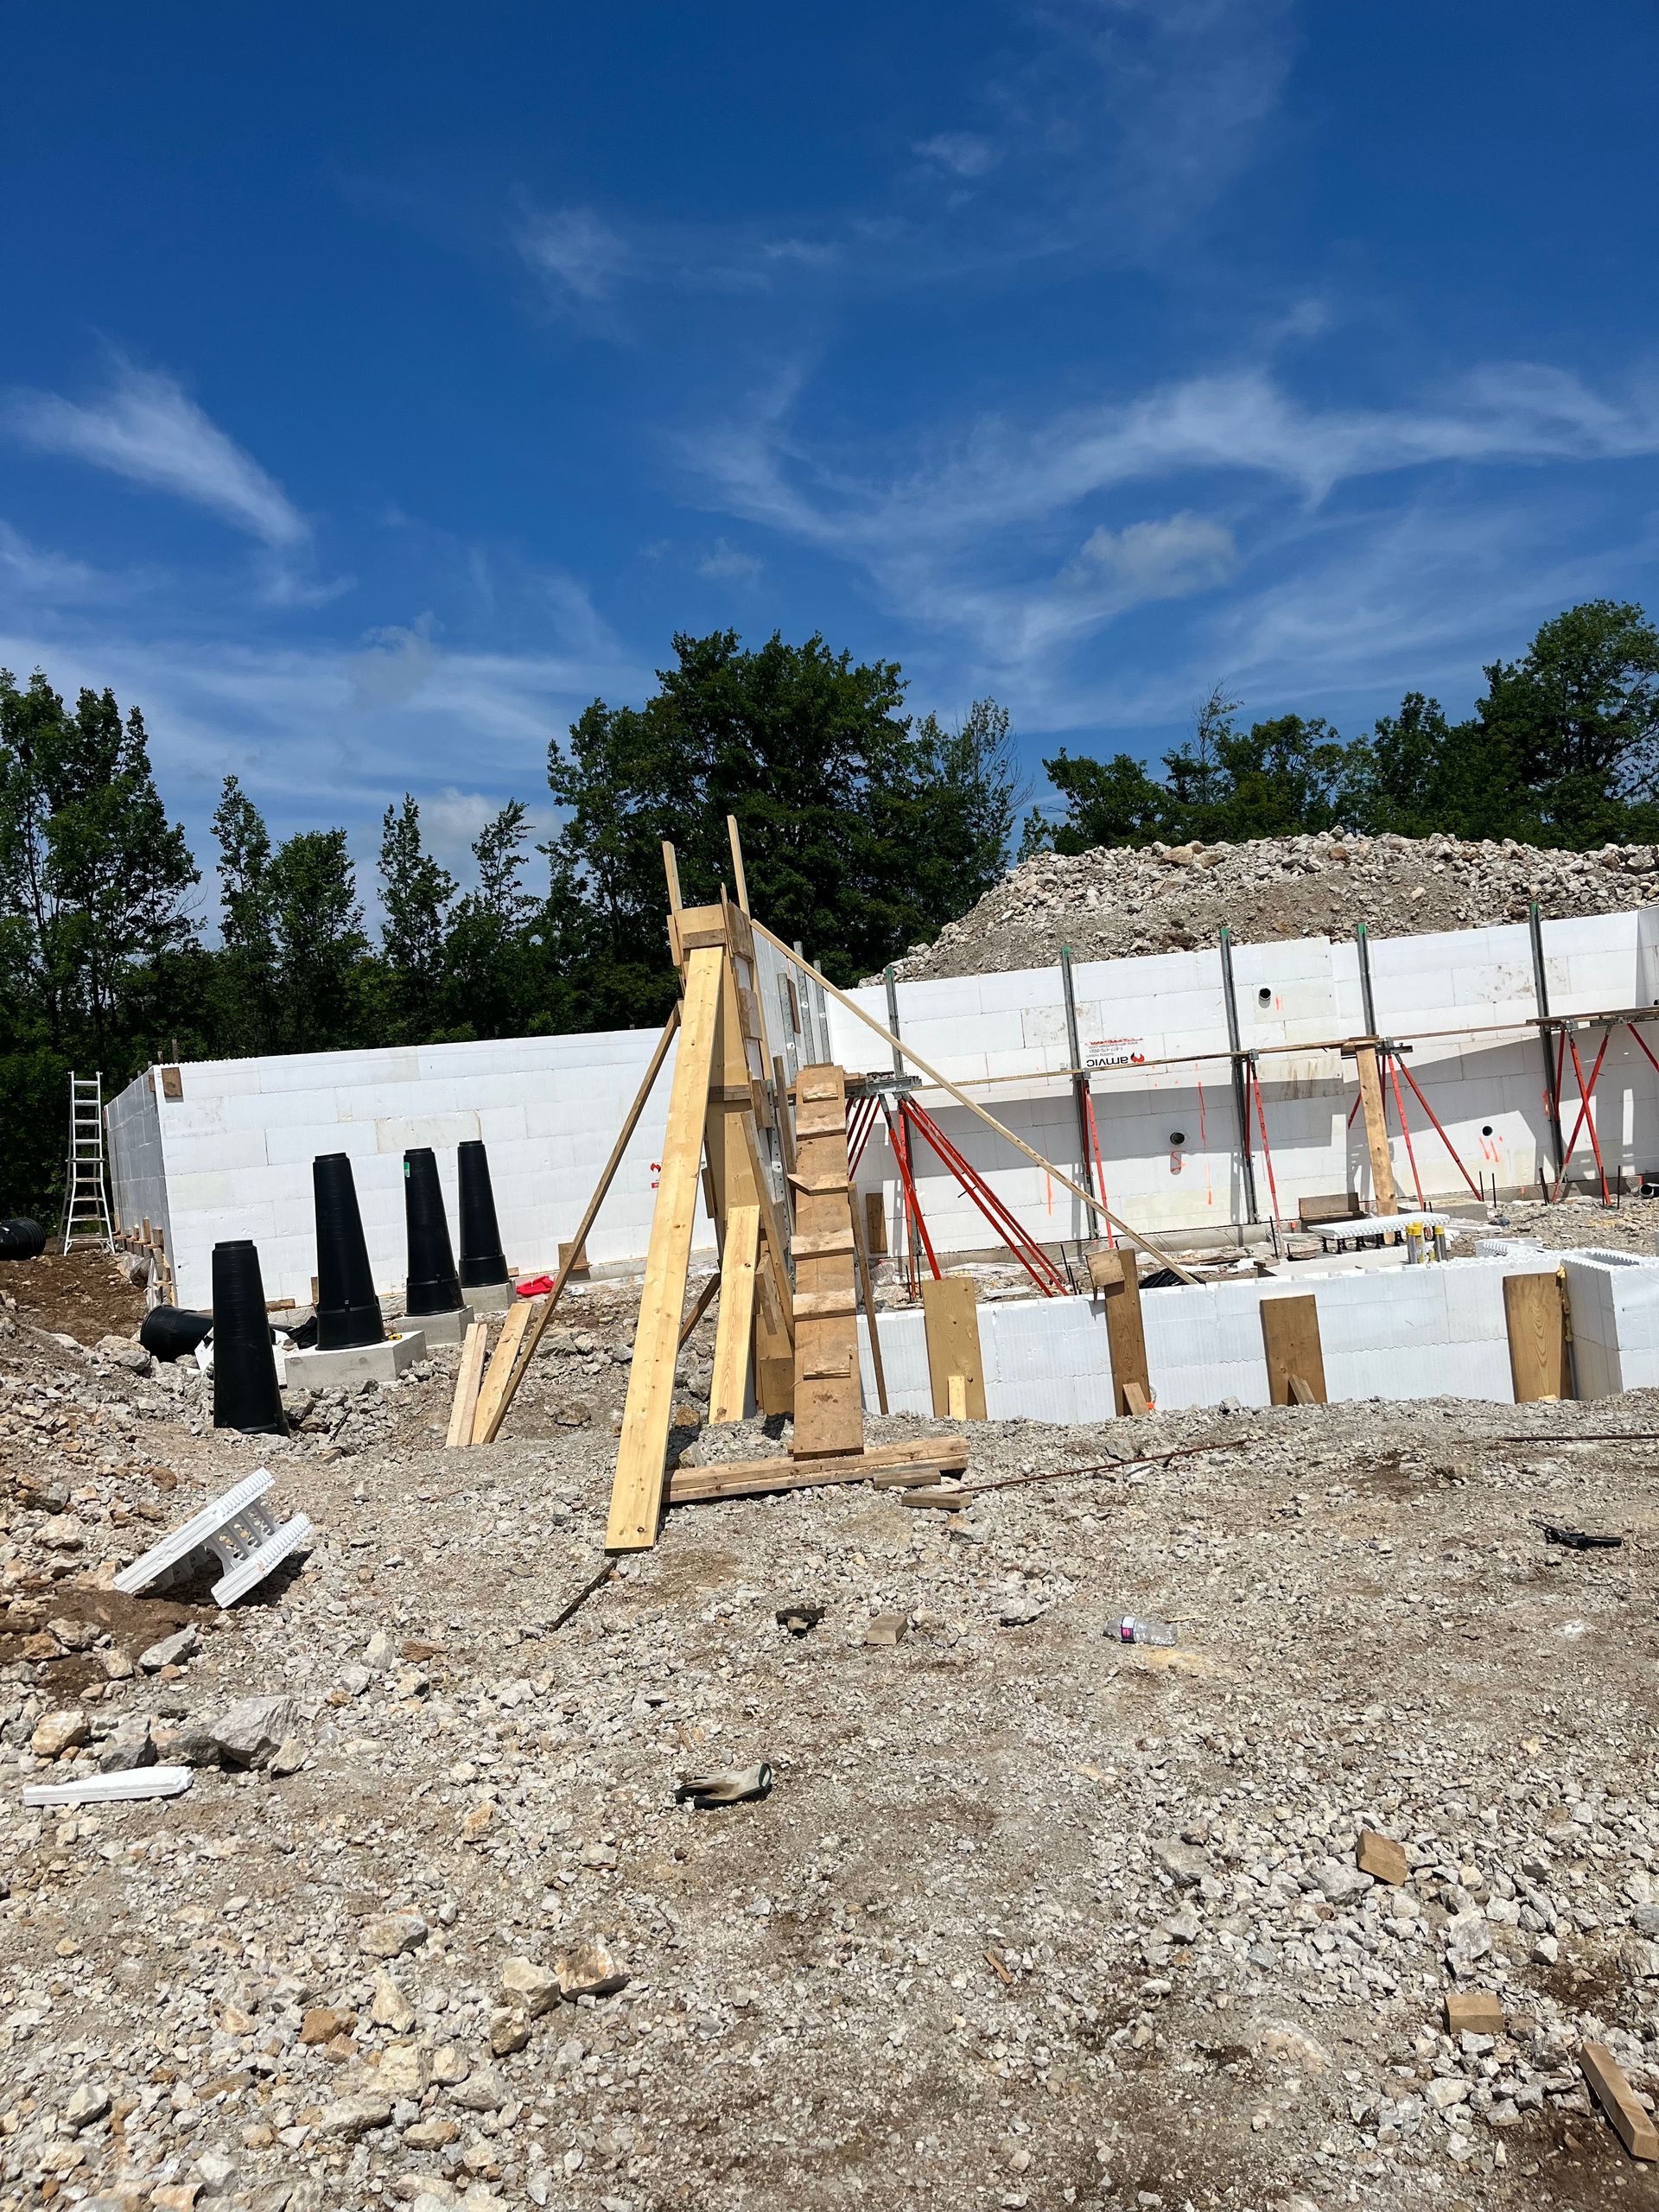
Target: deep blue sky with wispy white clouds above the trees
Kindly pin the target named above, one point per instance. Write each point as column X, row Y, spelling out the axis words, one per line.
column 384, row 384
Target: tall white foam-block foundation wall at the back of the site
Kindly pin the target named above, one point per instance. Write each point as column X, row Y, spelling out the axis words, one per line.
column 233, row 1154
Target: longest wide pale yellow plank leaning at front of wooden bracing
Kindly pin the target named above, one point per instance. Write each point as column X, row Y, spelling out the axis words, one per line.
column 636, row 1490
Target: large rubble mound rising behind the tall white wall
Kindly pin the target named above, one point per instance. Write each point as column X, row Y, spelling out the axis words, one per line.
column 1112, row 901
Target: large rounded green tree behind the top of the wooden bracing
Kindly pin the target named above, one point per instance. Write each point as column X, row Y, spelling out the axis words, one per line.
column 862, row 831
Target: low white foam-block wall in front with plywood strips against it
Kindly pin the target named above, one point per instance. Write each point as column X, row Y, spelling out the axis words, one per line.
column 1404, row 1333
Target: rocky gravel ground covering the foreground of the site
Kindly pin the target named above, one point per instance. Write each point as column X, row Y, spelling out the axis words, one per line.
column 1027, row 1919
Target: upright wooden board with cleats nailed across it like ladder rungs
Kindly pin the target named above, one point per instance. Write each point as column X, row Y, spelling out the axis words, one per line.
column 828, row 1401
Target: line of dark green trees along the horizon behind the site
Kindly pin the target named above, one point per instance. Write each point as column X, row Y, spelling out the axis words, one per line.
column 864, row 831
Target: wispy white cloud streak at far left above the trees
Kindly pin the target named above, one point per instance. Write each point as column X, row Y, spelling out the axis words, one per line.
column 147, row 430
